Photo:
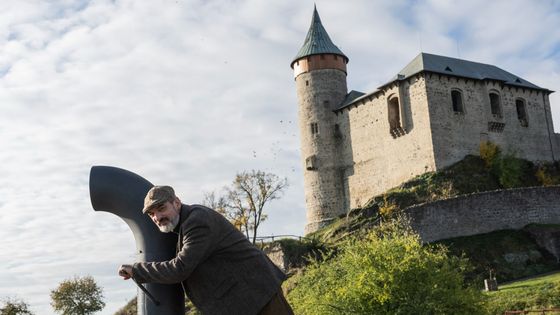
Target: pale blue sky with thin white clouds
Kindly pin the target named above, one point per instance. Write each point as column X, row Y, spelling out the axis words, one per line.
column 188, row 93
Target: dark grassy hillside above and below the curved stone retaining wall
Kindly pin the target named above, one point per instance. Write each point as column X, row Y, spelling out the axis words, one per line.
column 511, row 254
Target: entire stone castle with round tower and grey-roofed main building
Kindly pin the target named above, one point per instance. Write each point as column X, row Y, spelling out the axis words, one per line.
column 430, row 115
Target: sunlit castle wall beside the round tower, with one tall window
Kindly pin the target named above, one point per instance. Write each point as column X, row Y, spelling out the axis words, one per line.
column 372, row 159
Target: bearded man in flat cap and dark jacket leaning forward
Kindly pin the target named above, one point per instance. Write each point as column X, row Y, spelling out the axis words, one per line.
column 220, row 270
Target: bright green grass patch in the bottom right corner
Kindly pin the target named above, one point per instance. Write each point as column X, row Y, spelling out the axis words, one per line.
column 529, row 294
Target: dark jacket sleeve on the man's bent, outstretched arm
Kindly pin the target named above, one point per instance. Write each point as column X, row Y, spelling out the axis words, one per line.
column 197, row 245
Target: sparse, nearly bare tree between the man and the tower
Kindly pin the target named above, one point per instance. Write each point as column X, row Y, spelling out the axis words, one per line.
column 244, row 201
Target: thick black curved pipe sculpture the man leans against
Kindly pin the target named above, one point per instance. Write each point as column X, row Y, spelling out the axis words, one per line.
column 121, row 192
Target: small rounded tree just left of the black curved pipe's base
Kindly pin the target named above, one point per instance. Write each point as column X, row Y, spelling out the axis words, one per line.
column 77, row 296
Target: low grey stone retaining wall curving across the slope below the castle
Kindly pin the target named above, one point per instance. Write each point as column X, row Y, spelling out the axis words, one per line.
column 485, row 212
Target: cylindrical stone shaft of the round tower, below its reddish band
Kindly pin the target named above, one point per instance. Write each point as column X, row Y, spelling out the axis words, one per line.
column 318, row 92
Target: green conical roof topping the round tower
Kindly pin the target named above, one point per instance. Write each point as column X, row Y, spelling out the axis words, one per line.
column 317, row 41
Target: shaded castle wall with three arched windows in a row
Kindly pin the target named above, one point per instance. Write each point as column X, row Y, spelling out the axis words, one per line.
column 458, row 134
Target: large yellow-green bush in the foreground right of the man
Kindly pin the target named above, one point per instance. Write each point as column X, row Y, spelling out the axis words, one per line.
column 386, row 271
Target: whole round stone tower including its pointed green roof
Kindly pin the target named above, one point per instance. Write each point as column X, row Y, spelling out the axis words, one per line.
column 320, row 75
